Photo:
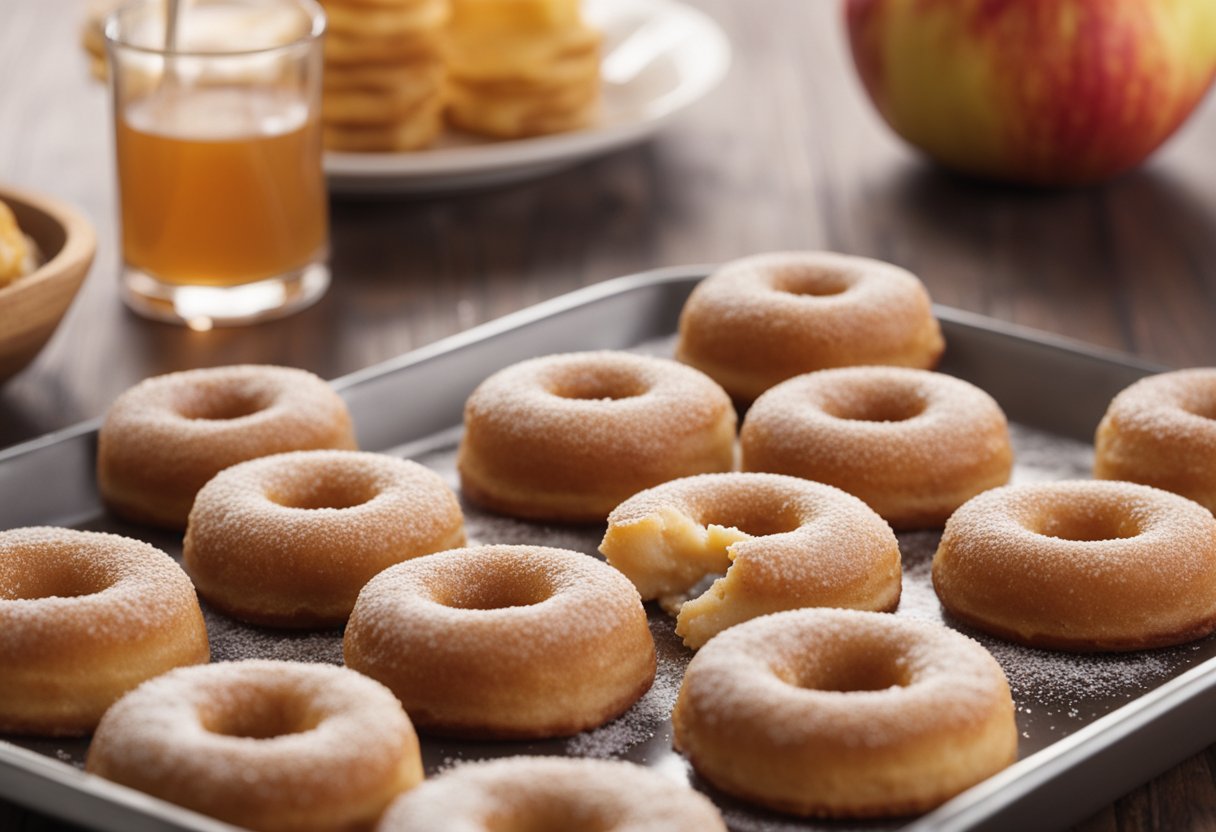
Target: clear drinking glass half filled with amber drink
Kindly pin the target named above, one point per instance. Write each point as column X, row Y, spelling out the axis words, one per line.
column 218, row 138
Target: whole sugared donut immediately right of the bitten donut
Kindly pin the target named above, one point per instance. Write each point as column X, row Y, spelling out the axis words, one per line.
column 1082, row 566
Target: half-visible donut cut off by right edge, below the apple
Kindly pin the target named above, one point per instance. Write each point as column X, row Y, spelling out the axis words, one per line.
column 1162, row 432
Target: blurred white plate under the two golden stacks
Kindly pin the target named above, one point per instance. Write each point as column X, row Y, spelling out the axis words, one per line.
column 660, row 58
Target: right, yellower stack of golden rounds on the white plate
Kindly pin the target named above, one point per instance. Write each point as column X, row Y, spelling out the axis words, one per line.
column 521, row 68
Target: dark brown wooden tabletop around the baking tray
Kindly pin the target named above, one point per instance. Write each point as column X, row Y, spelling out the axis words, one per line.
column 787, row 154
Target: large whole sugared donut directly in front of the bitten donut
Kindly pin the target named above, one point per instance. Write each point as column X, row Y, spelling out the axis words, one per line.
column 838, row 713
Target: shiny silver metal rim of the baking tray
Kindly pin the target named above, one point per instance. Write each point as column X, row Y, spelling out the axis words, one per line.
column 965, row 812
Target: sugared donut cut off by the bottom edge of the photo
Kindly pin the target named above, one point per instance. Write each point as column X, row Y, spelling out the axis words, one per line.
column 551, row 794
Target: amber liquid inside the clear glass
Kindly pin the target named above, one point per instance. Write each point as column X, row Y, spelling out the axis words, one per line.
column 221, row 187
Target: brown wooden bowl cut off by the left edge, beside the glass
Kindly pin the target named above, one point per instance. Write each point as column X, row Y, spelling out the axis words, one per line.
column 31, row 307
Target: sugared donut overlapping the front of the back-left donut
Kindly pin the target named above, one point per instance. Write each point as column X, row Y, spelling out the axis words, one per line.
column 289, row 541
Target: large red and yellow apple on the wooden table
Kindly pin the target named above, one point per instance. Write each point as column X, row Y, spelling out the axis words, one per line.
column 1035, row 92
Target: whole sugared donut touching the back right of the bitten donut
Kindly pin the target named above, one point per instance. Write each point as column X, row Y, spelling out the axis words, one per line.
column 914, row 445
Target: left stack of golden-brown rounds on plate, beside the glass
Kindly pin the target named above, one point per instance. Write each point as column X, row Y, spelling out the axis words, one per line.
column 384, row 75
